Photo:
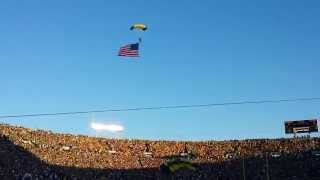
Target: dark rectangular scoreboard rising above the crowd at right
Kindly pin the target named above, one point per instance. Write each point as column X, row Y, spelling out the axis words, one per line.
column 301, row 126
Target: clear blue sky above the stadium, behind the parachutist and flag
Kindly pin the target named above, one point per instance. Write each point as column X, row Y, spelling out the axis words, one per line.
column 62, row 56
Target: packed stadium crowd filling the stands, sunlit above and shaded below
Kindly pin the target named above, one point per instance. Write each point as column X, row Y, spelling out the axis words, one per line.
column 36, row 154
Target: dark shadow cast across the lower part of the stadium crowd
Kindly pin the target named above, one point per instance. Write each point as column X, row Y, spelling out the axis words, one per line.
column 18, row 163
